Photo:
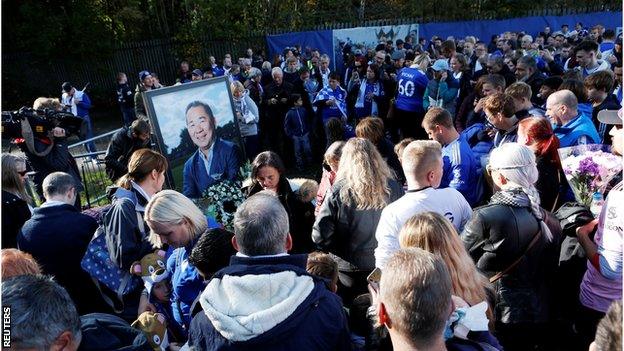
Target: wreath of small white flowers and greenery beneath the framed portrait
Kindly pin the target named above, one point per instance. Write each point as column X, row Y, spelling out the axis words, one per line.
column 221, row 200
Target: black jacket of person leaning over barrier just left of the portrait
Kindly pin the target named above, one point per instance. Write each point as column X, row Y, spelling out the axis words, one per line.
column 120, row 148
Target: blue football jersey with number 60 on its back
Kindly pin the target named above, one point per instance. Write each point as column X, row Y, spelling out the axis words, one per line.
column 411, row 89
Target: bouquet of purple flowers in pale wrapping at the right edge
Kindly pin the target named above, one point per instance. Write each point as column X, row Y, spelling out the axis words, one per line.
column 589, row 169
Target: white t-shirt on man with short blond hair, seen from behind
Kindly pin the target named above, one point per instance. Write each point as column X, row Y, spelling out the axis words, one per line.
column 448, row 202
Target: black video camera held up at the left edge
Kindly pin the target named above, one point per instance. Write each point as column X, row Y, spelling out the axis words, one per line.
column 41, row 121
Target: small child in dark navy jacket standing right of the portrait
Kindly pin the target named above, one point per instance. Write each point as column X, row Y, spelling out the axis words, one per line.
column 297, row 128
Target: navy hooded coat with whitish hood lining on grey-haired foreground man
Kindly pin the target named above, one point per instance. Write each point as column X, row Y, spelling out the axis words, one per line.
column 278, row 306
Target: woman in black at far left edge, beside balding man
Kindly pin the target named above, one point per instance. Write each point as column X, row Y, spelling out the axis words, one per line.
column 15, row 202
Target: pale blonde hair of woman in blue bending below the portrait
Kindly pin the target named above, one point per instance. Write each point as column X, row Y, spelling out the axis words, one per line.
column 171, row 207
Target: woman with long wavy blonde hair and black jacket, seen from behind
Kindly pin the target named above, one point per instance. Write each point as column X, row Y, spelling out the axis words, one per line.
column 350, row 213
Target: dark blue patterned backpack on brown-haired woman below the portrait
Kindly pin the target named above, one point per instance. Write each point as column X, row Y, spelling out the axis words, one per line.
column 97, row 262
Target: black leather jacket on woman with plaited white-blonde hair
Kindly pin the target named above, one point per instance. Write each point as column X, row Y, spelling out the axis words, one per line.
column 495, row 237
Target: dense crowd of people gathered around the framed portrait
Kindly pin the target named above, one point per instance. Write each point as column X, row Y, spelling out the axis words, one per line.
column 442, row 219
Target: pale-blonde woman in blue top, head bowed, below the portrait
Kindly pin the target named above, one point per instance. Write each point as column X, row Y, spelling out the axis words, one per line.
column 175, row 220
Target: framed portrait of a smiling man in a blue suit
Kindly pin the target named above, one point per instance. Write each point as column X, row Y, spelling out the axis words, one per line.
column 197, row 131
